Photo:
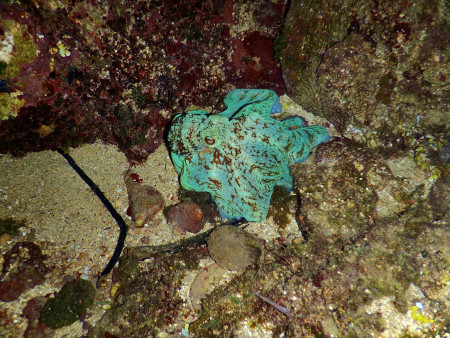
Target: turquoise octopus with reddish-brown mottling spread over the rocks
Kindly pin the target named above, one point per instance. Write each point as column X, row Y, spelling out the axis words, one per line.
column 240, row 154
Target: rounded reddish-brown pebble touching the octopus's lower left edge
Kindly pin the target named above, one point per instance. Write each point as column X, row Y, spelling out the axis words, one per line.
column 186, row 216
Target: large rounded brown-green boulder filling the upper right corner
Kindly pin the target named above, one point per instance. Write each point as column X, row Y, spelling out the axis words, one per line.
column 380, row 69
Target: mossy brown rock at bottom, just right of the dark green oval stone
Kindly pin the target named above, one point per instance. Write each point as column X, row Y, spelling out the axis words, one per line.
column 147, row 300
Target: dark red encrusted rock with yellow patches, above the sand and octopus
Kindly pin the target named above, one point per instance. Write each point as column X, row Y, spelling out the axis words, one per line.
column 74, row 72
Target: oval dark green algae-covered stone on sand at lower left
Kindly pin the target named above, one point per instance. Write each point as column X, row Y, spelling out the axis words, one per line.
column 68, row 305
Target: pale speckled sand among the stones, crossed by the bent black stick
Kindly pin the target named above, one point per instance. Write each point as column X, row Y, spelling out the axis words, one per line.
column 73, row 228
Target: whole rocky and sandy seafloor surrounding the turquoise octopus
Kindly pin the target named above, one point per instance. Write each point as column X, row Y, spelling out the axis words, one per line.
column 359, row 248
